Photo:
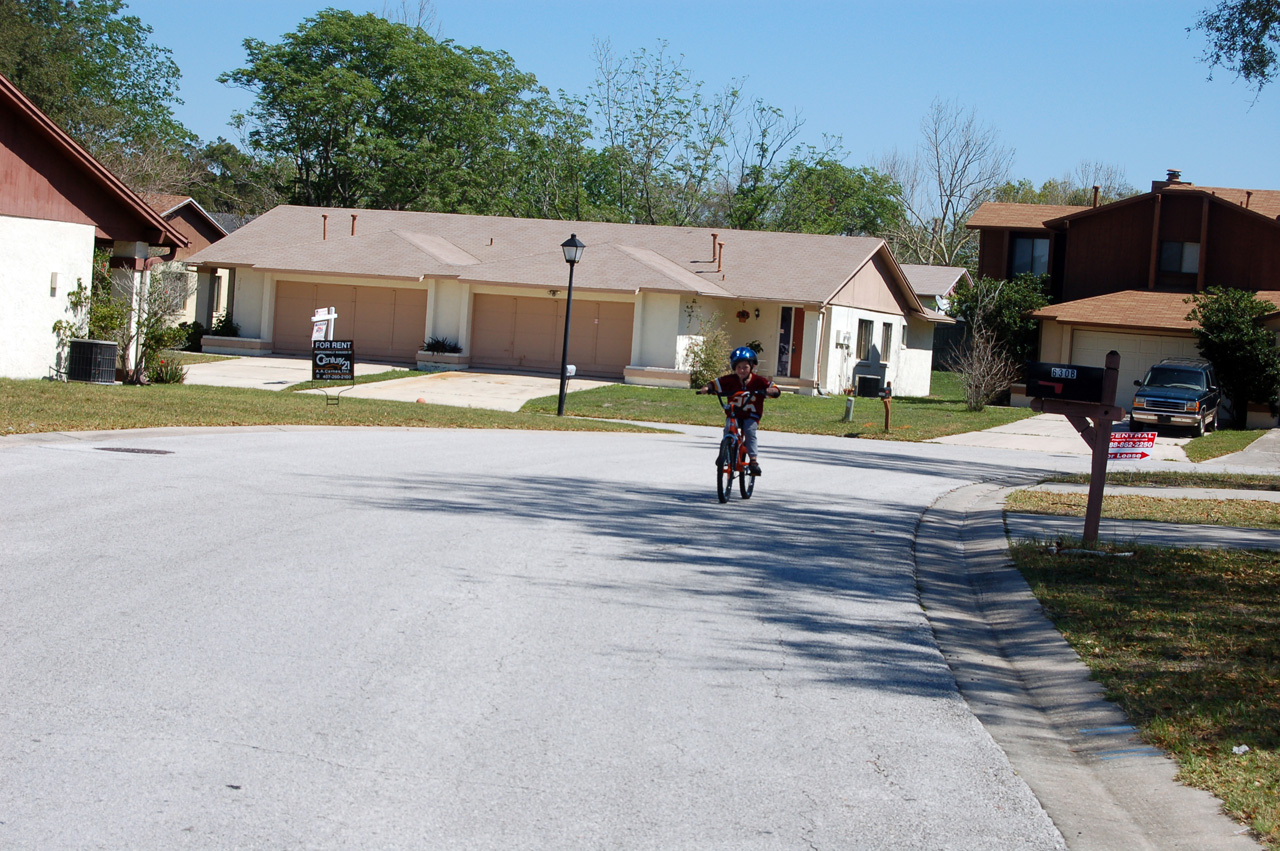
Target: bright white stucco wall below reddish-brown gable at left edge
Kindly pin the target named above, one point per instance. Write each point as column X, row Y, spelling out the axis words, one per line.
column 31, row 253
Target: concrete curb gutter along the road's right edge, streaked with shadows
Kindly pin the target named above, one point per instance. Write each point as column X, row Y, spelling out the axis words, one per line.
column 1078, row 753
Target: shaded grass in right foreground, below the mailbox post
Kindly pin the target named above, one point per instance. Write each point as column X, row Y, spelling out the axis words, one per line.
column 1188, row 644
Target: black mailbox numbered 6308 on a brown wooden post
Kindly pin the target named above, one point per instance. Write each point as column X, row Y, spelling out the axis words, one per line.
column 1087, row 397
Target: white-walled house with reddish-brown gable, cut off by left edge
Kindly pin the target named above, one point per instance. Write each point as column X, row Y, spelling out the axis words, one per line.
column 57, row 205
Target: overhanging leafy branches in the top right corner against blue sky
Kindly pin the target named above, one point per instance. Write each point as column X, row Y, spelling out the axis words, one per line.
column 1242, row 38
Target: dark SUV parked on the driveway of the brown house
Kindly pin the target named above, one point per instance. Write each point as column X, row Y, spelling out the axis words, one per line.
column 1180, row 392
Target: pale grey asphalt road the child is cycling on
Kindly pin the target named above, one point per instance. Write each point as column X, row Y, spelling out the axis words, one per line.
column 413, row 639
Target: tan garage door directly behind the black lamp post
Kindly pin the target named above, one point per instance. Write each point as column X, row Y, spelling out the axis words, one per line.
column 513, row 332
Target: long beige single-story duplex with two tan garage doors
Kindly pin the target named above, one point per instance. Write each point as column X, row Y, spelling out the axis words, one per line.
column 826, row 313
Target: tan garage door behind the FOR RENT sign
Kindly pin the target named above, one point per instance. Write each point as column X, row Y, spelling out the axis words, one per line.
column 386, row 323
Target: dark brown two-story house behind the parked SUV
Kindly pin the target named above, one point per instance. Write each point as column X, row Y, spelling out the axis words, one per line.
column 1122, row 273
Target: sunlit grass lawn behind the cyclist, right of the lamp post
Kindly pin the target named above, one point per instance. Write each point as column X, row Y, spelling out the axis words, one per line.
column 911, row 419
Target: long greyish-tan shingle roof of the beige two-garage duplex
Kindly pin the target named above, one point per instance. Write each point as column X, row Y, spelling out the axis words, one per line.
column 621, row 258
